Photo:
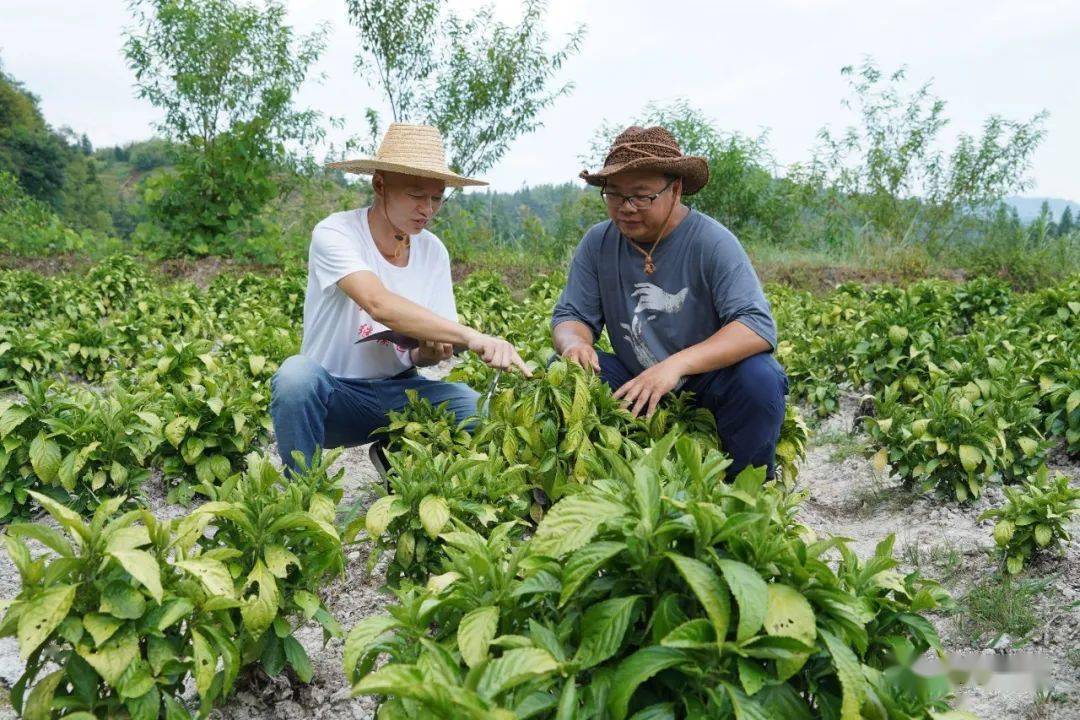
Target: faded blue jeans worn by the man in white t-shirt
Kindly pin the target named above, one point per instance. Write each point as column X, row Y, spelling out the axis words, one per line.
column 310, row 407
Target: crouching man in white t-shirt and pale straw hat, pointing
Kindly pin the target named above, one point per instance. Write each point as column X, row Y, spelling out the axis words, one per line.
column 379, row 305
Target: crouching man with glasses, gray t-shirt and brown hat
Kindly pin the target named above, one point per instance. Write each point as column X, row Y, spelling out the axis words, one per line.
column 679, row 296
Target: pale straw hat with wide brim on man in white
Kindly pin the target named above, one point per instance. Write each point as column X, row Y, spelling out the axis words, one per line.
column 414, row 151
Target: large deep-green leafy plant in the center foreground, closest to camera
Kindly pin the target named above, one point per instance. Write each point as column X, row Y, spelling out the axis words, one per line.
column 663, row 590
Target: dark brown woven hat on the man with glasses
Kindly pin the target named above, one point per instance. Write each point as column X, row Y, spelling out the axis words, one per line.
column 651, row 150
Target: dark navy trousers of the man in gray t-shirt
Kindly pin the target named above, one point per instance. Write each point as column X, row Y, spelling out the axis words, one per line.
column 747, row 400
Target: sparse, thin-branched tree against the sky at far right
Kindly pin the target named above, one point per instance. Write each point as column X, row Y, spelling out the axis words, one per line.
column 894, row 170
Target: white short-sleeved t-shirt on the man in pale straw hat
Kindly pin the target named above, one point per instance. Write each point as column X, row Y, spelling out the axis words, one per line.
column 333, row 322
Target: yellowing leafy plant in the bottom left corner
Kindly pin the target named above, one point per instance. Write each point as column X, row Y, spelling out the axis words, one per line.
column 109, row 612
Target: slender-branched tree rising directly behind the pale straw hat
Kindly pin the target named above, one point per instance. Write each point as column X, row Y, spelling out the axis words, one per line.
column 482, row 83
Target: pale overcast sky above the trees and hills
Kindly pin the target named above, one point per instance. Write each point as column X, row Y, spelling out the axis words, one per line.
column 751, row 66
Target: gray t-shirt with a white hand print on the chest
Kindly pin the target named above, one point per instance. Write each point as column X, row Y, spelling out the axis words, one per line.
column 703, row 281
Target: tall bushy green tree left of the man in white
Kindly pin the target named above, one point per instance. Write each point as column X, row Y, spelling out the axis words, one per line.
column 225, row 74
